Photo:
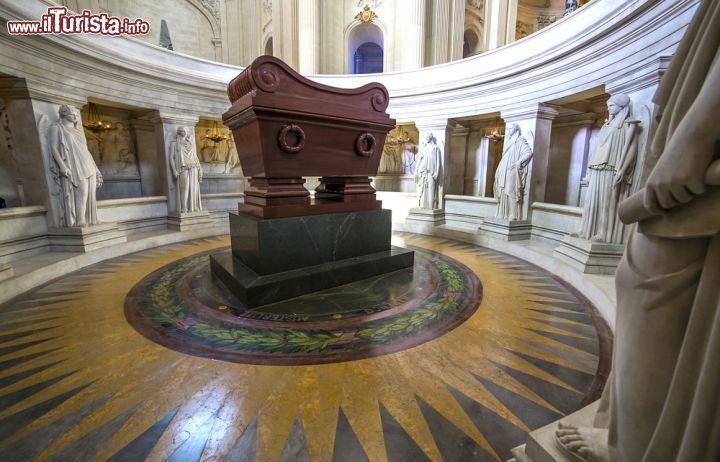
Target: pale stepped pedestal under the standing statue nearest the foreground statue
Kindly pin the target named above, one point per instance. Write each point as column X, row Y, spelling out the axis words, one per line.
column 590, row 257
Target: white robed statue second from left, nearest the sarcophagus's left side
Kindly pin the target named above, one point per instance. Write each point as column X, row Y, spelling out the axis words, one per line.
column 186, row 171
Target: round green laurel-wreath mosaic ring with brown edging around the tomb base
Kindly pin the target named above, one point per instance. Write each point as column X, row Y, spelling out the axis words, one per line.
column 163, row 312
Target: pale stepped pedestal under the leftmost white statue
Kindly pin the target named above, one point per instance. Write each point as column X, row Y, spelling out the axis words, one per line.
column 86, row 239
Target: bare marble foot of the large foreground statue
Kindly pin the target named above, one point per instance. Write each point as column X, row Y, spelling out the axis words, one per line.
column 582, row 444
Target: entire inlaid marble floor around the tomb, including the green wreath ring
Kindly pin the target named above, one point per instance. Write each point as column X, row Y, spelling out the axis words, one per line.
column 145, row 357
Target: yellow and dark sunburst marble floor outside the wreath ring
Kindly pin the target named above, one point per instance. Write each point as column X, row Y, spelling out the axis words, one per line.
column 77, row 382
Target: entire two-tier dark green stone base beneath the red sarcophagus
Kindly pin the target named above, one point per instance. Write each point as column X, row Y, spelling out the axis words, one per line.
column 279, row 258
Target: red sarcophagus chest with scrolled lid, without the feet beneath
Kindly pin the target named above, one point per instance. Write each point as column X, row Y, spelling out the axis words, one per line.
column 285, row 125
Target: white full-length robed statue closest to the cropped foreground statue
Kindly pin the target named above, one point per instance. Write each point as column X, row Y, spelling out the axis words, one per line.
column 610, row 173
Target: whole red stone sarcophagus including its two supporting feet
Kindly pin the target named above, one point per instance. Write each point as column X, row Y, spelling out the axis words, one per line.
column 287, row 127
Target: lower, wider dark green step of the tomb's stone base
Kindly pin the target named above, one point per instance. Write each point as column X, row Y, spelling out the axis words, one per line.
column 253, row 289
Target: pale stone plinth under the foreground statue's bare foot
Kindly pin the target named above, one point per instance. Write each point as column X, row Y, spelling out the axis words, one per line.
column 541, row 446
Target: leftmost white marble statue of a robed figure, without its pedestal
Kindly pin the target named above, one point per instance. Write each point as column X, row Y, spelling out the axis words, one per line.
column 74, row 170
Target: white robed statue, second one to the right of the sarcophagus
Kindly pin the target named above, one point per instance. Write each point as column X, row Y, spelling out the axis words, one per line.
column 509, row 187
